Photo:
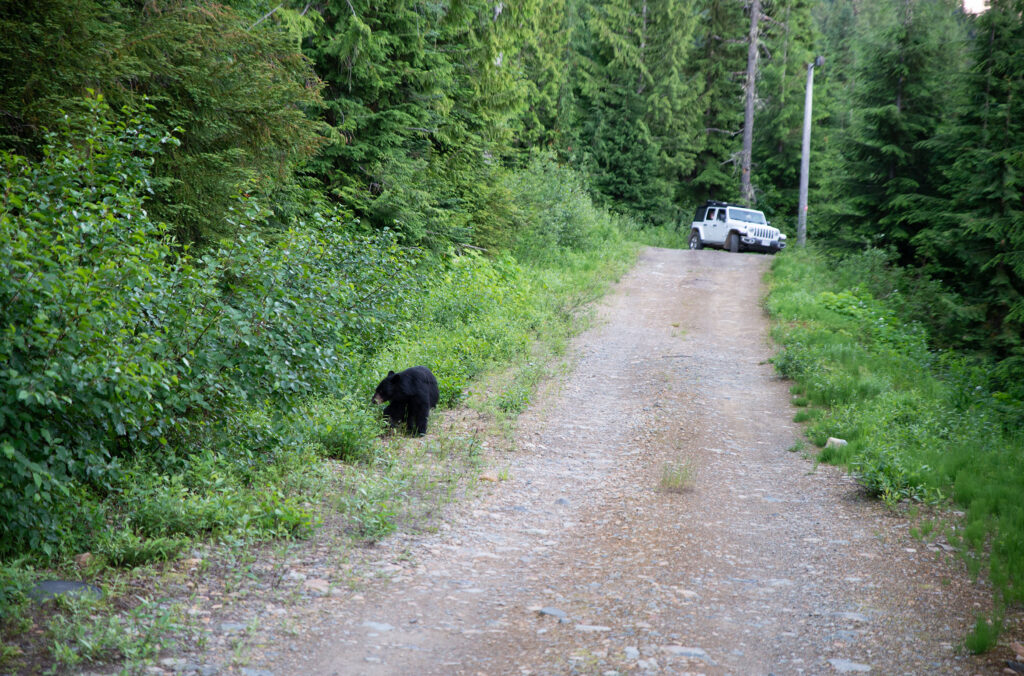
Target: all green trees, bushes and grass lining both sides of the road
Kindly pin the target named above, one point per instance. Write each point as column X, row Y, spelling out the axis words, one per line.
column 223, row 222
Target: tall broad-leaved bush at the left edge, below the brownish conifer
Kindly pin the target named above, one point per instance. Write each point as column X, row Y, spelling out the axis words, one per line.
column 81, row 268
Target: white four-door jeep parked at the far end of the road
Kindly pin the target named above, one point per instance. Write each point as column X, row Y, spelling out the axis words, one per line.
column 734, row 228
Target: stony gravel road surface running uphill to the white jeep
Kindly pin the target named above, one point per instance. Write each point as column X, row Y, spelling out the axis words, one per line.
column 583, row 563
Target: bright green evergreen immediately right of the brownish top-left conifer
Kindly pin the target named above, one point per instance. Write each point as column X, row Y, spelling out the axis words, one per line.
column 389, row 90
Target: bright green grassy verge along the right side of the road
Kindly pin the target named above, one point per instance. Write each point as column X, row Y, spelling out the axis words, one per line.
column 923, row 426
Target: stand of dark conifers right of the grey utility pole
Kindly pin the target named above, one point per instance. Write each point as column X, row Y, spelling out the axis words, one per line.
column 923, row 155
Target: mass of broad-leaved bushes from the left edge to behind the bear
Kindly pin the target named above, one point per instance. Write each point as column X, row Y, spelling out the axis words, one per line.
column 118, row 345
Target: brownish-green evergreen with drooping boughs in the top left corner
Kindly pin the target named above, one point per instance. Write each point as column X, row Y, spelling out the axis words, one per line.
column 235, row 91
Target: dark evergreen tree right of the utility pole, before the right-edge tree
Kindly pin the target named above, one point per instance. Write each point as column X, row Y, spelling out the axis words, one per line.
column 906, row 60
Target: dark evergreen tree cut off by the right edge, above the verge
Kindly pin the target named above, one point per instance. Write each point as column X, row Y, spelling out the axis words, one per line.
column 977, row 240
